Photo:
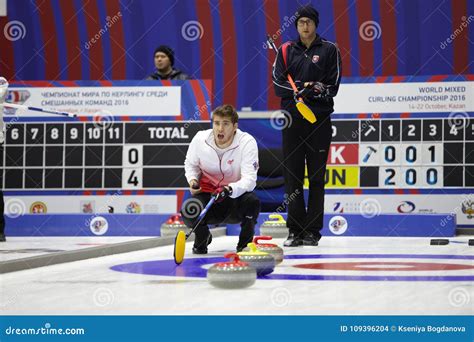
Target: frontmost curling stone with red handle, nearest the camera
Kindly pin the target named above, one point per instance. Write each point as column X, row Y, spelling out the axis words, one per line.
column 234, row 274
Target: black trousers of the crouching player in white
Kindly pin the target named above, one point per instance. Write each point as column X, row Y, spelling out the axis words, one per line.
column 243, row 210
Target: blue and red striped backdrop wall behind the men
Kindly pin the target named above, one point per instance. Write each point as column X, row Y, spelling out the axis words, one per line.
column 224, row 40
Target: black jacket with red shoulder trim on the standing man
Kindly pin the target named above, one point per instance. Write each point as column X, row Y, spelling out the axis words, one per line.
column 321, row 62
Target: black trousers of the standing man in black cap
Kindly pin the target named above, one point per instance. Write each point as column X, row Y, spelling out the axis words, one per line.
column 303, row 141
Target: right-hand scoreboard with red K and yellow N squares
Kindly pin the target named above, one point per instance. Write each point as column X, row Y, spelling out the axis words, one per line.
column 401, row 153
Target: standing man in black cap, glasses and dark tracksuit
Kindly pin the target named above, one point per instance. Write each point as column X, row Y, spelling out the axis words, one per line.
column 315, row 65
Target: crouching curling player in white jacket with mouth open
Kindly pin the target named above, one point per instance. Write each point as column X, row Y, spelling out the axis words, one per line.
column 222, row 161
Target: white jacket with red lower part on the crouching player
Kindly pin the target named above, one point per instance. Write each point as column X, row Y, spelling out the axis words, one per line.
column 237, row 167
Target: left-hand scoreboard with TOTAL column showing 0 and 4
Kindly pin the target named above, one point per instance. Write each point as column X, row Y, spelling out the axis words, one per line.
column 94, row 156
